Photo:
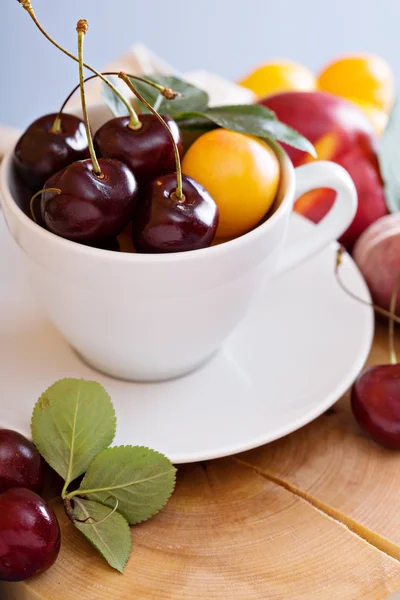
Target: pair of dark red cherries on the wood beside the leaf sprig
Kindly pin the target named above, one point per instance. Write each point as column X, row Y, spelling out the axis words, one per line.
column 29, row 531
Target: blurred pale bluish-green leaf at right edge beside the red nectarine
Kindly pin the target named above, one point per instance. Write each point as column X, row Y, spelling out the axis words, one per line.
column 389, row 160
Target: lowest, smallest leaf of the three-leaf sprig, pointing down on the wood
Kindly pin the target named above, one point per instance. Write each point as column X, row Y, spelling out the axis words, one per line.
column 112, row 538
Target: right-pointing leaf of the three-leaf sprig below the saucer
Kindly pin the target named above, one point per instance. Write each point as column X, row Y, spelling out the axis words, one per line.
column 142, row 481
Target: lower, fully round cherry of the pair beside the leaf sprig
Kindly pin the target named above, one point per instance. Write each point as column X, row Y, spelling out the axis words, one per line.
column 29, row 535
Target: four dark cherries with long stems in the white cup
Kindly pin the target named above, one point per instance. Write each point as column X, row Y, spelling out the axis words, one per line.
column 136, row 179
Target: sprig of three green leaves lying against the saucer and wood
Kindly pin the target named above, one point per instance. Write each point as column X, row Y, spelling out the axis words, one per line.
column 73, row 424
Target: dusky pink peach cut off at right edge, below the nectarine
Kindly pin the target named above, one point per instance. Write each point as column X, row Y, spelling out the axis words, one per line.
column 377, row 254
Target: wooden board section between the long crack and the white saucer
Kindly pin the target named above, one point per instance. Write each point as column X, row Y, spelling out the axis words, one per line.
column 332, row 461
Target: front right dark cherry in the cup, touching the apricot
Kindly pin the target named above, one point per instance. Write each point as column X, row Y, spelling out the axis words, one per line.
column 161, row 223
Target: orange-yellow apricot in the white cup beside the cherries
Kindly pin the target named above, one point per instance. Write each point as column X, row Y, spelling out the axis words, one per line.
column 240, row 172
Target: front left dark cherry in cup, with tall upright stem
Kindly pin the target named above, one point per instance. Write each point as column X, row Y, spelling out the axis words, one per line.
column 90, row 208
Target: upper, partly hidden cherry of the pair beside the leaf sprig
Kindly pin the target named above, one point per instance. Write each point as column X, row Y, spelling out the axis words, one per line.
column 20, row 462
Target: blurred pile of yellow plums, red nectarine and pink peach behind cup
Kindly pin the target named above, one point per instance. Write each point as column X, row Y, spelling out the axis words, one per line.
column 345, row 112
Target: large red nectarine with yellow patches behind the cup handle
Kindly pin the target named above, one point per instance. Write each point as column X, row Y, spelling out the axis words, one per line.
column 341, row 132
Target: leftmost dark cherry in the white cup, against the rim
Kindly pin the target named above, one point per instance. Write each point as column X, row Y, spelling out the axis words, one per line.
column 40, row 153
